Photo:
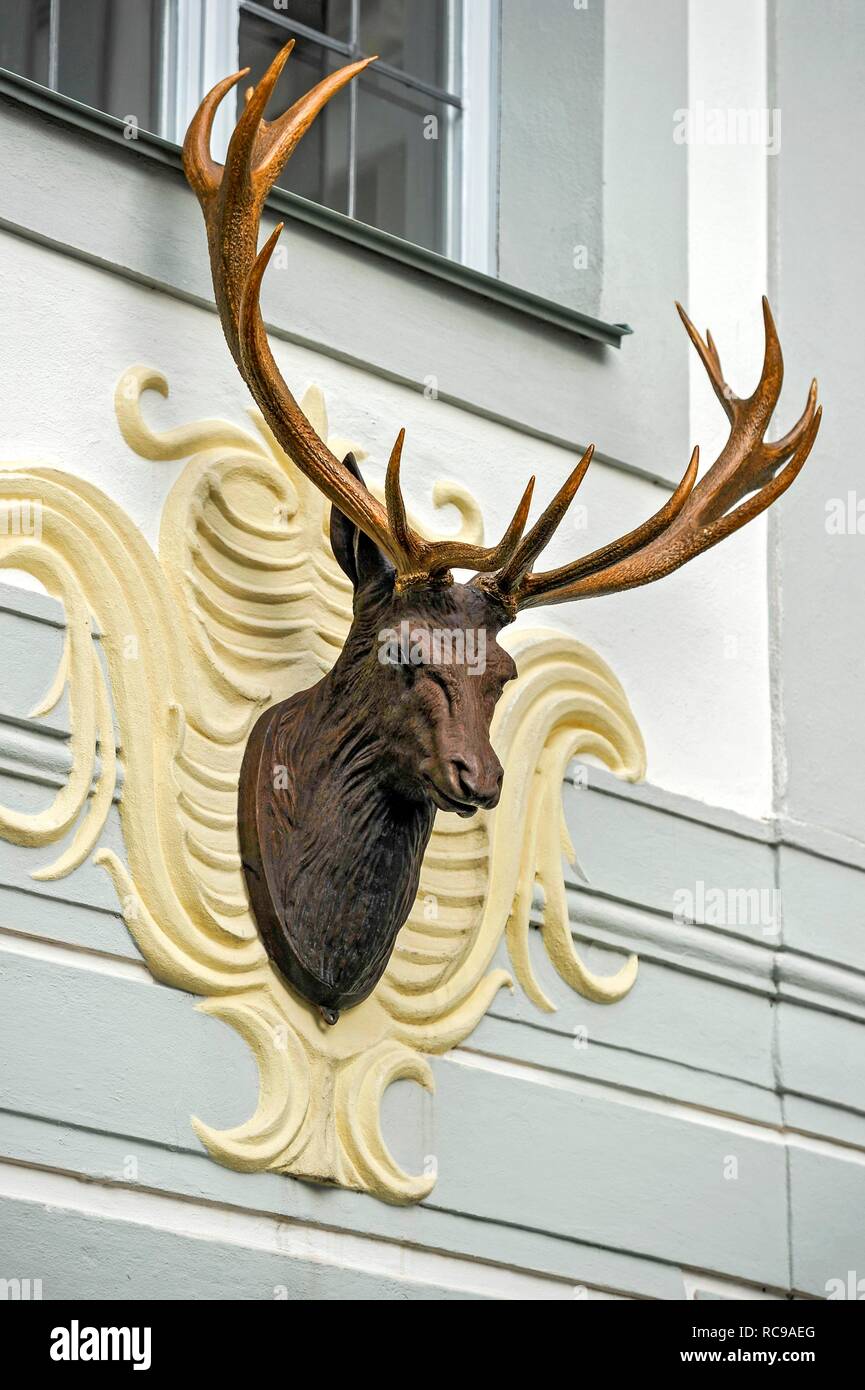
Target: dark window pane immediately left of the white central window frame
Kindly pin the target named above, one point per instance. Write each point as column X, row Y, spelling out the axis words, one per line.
column 111, row 56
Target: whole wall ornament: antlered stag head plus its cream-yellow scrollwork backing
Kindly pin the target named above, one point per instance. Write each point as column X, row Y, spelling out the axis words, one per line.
column 250, row 615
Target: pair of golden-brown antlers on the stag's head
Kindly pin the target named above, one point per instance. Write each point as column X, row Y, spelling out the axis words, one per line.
column 697, row 516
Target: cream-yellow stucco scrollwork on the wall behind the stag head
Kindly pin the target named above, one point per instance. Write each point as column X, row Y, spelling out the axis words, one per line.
column 244, row 607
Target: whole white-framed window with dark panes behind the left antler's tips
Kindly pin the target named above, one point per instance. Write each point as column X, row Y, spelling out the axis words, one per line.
column 403, row 149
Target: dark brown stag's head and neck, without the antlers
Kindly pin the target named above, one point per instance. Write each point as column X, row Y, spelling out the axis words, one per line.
column 340, row 785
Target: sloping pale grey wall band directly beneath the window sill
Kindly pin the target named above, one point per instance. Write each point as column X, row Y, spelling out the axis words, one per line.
column 373, row 313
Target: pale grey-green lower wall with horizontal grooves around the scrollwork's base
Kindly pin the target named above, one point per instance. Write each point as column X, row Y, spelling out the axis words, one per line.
column 664, row 1157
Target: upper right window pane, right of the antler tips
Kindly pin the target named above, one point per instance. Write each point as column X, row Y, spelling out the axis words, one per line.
column 411, row 35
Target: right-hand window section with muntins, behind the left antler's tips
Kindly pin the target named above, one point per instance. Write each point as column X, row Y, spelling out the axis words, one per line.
column 387, row 154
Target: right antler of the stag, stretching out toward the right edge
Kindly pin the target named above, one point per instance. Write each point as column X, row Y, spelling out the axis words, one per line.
column 697, row 516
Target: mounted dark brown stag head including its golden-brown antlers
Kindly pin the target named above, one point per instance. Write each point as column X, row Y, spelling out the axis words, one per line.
column 400, row 728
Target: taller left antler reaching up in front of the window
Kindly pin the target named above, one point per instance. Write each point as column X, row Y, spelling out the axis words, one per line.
column 232, row 199
